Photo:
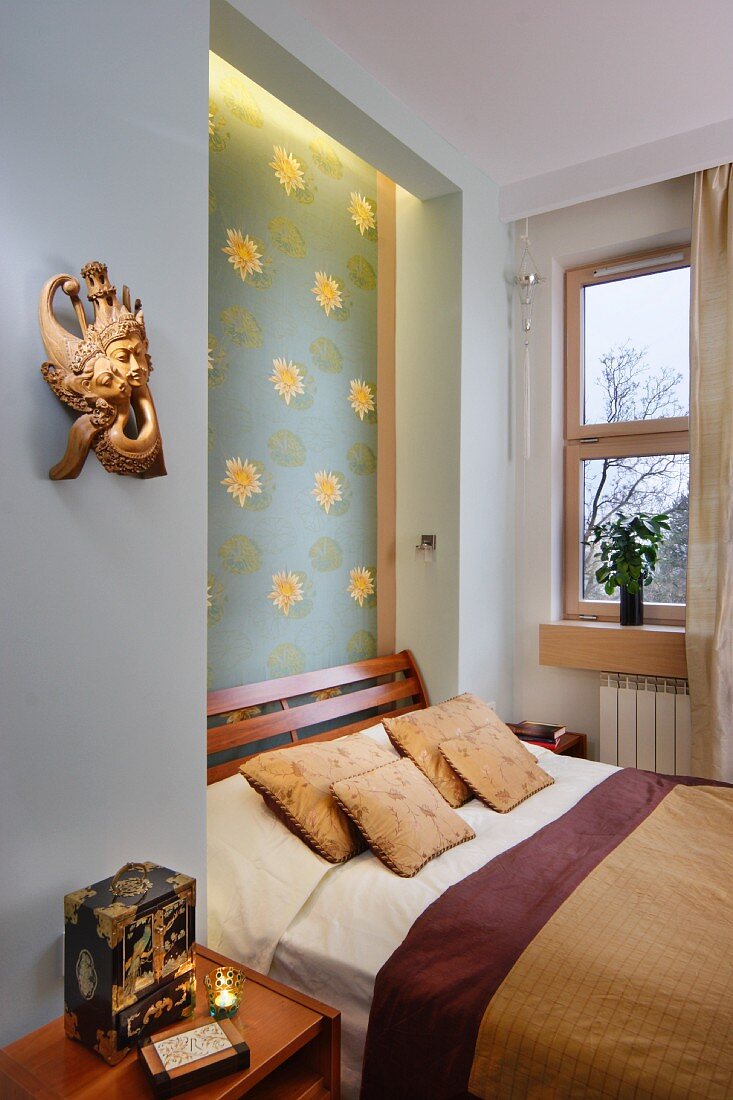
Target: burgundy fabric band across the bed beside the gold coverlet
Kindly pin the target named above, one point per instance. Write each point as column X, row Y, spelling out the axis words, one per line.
column 431, row 996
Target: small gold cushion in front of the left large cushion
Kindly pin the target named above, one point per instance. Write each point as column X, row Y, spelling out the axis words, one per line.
column 402, row 817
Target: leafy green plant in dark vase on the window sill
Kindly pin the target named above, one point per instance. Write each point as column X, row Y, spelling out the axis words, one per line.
column 628, row 549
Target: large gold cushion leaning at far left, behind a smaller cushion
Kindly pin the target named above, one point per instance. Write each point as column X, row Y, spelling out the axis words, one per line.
column 297, row 785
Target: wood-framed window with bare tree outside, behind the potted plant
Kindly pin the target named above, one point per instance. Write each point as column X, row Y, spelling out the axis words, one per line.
column 627, row 442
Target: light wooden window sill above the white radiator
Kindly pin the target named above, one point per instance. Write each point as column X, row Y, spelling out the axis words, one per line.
column 609, row 647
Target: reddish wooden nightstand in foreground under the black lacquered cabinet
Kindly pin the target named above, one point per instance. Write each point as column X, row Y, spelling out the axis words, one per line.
column 294, row 1043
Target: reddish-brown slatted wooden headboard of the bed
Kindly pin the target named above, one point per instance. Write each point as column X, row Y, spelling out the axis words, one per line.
column 398, row 689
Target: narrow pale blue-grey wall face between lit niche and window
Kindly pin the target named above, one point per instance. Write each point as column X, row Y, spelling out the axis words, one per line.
column 488, row 456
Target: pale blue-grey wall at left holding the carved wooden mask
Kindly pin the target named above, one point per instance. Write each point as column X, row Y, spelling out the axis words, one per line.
column 104, row 683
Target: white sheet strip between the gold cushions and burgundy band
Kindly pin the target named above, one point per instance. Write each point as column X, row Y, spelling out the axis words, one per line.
column 360, row 912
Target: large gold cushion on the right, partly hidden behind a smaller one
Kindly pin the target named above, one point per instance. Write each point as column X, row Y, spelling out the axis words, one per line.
column 419, row 735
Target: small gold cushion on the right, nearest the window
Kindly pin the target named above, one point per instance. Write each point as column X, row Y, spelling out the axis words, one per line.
column 497, row 767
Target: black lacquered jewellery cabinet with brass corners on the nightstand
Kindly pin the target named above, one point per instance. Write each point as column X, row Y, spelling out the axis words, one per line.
column 129, row 958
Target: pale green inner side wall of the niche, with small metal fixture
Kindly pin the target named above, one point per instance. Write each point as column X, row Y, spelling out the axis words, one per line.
column 429, row 434
